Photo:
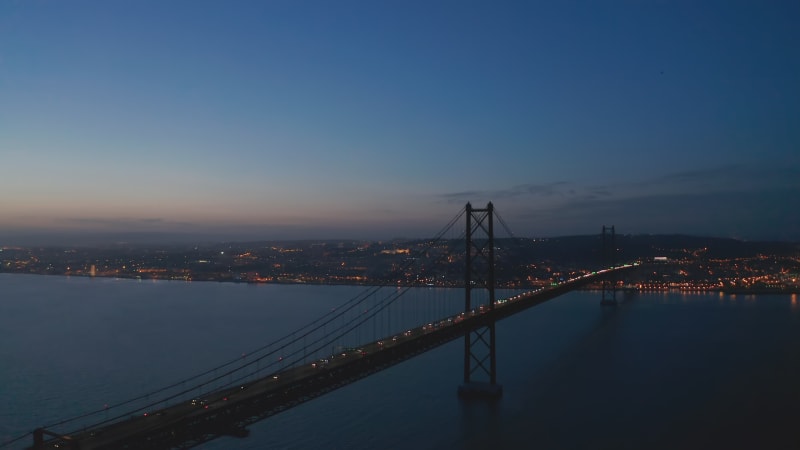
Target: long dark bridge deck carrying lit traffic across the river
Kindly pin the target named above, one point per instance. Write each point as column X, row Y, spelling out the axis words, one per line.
column 230, row 411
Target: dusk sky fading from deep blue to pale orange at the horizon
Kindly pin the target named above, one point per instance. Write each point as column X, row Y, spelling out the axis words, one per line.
column 357, row 119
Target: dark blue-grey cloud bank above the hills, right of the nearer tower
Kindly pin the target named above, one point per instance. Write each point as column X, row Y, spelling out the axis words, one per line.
column 736, row 201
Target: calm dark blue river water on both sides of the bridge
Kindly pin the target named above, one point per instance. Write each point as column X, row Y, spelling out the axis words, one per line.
column 662, row 370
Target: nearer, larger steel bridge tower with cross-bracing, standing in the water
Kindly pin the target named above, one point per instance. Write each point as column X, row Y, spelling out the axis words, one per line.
column 479, row 343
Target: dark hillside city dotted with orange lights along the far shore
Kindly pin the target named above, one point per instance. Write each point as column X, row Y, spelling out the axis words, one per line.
column 519, row 263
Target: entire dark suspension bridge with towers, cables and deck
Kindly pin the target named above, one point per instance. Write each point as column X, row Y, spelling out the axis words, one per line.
column 365, row 335
